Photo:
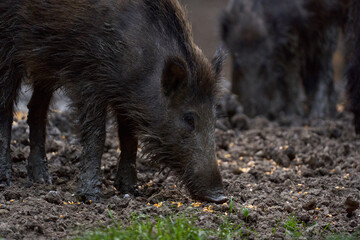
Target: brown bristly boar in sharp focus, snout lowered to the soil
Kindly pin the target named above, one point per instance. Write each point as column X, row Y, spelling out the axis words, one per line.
column 136, row 57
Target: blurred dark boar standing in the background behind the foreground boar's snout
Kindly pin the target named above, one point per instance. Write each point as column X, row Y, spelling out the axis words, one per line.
column 282, row 55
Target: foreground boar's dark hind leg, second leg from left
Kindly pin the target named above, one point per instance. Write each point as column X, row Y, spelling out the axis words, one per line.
column 38, row 108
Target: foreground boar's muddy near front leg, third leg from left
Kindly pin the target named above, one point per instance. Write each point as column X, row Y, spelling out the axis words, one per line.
column 93, row 133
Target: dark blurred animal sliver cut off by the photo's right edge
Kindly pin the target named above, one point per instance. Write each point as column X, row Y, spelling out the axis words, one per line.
column 353, row 71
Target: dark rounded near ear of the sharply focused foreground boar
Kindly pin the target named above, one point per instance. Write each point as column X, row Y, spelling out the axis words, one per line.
column 175, row 75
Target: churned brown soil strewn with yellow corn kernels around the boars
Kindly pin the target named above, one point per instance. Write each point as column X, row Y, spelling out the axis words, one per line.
column 310, row 170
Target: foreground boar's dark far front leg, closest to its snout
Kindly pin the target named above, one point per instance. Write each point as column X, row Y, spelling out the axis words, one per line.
column 126, row 178
